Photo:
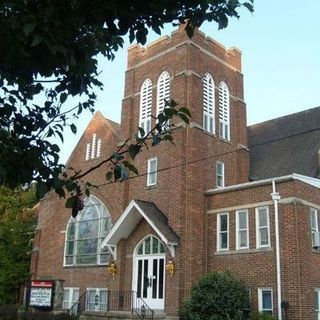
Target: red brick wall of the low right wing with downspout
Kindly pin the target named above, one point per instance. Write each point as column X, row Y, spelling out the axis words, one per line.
column 299, row 262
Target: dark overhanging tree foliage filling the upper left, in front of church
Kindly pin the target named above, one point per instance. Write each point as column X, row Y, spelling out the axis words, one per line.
column 49, row 53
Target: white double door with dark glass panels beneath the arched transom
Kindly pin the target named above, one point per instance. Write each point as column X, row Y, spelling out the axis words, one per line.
column 149, row 281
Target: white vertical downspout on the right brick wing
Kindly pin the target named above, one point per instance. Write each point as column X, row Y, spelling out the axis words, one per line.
column 276, row 197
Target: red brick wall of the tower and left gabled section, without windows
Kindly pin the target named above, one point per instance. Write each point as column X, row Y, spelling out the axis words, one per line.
column 186, row 169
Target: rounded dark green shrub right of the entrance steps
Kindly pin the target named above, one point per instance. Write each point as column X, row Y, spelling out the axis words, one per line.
column 217, row 296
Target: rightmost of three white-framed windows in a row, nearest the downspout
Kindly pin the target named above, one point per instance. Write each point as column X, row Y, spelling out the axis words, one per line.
column 262, row 227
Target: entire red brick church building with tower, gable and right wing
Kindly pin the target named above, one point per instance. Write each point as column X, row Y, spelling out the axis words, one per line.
column 225, row 197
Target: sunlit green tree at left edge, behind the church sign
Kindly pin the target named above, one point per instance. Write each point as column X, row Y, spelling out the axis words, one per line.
column 17, row 223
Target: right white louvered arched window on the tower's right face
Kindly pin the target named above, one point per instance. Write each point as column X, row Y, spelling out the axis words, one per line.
column 224, row 111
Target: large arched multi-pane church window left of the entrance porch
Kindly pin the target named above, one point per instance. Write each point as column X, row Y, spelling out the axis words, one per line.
column 85, row 234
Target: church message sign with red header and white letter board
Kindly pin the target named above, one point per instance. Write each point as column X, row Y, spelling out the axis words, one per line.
column 41, row 294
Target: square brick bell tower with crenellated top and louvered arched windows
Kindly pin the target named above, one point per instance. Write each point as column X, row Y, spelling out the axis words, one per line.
column 204, row 76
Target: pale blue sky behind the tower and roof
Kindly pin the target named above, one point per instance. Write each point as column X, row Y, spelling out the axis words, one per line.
column 280, row 45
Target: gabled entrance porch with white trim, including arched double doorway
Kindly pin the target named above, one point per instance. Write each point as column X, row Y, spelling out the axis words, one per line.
column 142, row 241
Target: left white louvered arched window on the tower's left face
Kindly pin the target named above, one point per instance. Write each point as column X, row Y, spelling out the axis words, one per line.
column 145, row 105
